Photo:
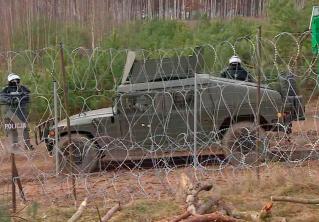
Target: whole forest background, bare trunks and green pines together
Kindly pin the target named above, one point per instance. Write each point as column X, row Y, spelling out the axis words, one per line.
column 95, row 38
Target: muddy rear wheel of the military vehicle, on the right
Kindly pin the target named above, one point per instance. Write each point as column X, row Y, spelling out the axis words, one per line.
column 239, row 144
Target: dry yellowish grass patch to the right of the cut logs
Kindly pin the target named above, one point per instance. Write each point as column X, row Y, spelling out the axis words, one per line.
column 247, row 193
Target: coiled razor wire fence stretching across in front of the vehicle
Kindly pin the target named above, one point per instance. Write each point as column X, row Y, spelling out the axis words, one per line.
column 137, row 133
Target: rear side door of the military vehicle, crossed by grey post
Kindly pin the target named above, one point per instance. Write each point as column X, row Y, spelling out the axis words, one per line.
column 181, row 115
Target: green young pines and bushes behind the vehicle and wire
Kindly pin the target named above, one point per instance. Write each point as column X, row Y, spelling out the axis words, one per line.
column 93, row 75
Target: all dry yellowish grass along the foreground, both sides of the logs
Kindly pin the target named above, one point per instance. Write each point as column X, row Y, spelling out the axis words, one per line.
column 242, row 190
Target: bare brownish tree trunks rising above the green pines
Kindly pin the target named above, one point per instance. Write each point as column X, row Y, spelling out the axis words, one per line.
column 39, row 23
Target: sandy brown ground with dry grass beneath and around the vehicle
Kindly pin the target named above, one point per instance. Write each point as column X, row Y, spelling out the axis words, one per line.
column 151, row 194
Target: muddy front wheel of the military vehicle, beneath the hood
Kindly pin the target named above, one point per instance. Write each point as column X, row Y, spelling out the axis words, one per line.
column 80, row 156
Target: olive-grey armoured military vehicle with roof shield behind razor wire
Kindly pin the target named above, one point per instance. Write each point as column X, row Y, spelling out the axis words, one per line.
column 153, row 117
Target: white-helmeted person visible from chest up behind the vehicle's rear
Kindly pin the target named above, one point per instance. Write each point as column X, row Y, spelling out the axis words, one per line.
column 236, row 71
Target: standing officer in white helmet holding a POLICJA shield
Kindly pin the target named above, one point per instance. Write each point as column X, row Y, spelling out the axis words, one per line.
column 16, row 98
